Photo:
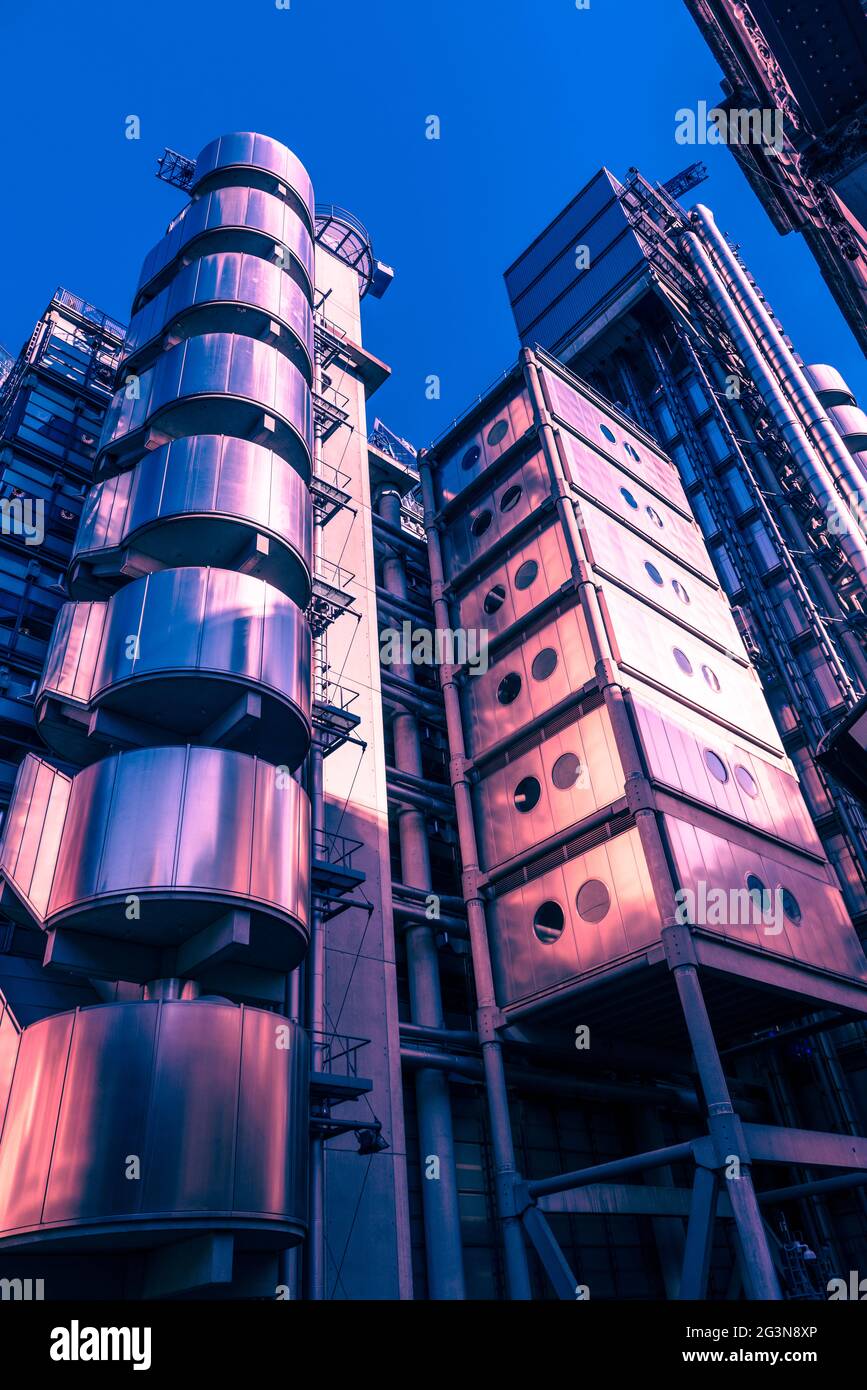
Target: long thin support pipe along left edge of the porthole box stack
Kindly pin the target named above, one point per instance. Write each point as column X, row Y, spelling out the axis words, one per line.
column 502, row 1143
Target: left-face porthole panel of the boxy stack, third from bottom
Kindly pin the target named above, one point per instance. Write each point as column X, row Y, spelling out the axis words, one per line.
column 545, row 669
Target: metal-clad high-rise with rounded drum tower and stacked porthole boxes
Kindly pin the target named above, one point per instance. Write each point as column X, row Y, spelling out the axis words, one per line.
column 412, row 857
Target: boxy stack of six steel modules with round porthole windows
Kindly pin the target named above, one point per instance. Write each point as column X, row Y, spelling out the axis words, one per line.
column 645, row 857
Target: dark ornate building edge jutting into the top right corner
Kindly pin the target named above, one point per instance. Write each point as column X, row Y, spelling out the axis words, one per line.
column 805, row 65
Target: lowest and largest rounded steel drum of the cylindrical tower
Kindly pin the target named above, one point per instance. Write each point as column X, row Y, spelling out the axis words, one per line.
column 212, row 1097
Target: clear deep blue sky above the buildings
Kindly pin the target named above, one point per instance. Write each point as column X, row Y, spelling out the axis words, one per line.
column 533, row 98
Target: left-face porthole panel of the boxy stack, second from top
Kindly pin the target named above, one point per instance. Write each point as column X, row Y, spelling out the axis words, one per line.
column 522, row 493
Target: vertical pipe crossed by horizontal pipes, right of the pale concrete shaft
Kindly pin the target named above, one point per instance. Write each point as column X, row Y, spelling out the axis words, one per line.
column 444, row 1252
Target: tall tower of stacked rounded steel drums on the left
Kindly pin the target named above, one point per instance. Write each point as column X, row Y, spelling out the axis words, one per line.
column 165, row 844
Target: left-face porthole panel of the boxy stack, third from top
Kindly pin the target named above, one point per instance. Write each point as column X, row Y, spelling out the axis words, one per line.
column 518, row 584
